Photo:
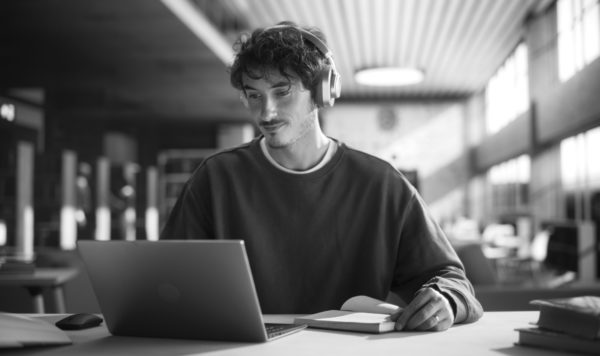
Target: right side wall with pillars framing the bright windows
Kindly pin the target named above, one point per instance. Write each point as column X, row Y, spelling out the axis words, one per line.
column 557, row 110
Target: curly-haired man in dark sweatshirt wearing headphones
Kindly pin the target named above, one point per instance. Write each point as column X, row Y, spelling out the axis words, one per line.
column 321, row 222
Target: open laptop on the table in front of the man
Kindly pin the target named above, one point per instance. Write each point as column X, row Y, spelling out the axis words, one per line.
column 189, row 289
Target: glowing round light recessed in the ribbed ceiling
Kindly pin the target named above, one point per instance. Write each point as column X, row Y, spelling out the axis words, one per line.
column 389, row 76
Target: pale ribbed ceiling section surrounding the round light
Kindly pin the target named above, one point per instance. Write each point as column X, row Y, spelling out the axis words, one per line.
column 458, row 43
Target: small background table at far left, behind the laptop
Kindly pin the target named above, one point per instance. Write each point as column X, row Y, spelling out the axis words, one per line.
column 41, row 279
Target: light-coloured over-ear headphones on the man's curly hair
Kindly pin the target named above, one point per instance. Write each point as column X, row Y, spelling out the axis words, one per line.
column 329, row 86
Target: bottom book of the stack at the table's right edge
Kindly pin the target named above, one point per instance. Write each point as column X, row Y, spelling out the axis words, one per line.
column 552, row 340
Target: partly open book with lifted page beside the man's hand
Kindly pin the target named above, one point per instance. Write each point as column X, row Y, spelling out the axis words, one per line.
column 359, row 313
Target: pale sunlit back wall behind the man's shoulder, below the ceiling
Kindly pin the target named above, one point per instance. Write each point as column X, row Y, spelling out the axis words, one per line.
column 429, row 137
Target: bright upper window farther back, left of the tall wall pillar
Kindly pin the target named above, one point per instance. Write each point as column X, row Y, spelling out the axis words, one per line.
column 507, row 92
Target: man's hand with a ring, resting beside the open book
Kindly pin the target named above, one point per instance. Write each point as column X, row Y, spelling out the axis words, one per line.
column 429, row 310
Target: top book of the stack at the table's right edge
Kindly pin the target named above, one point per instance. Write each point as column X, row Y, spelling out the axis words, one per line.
column 579, row 316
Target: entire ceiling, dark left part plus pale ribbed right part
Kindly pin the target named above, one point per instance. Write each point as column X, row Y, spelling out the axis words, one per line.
column 135, row 59
